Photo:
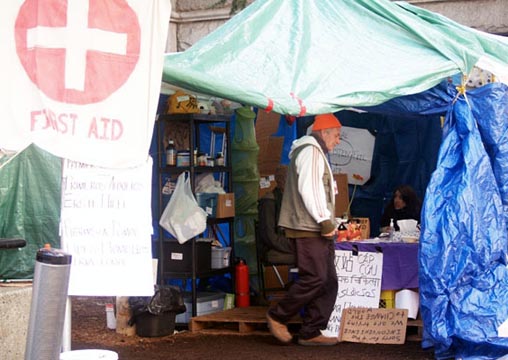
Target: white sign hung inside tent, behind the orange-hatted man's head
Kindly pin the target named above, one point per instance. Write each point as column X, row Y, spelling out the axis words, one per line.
column 353, row 155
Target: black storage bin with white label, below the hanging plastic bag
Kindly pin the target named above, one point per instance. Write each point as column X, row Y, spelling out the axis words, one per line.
column 179, row 256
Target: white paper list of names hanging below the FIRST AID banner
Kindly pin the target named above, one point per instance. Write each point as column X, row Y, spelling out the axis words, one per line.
column 106, row 226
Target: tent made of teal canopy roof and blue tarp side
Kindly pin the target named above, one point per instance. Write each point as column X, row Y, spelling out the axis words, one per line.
column 303, row 58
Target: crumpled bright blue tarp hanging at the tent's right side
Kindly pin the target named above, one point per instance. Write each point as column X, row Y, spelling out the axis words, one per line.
column 463, row 274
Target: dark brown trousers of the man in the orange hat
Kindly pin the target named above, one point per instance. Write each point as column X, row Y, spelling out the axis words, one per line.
column 315, row 290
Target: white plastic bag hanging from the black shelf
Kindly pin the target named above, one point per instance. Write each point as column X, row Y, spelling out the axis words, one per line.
column 182, row 217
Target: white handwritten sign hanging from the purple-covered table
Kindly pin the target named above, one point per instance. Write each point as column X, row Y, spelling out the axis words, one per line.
column 359, row 277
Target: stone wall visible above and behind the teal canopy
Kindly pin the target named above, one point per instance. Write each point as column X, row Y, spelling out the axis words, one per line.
column 193, row 19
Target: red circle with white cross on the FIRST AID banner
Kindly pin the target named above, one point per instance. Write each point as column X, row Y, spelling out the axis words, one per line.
column 77, row 51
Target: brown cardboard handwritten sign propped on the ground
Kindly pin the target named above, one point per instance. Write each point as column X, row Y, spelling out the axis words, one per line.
column 374, row 326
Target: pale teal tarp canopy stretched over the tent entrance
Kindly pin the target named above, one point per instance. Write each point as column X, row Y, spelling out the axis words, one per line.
column 306, row 57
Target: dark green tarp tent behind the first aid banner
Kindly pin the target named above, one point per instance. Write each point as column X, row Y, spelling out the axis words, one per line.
column 30, row 185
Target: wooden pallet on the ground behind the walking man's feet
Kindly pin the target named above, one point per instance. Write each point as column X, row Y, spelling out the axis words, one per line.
column 243, row 321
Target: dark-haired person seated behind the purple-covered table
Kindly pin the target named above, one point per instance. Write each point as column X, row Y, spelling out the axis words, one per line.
column 404, row 204
